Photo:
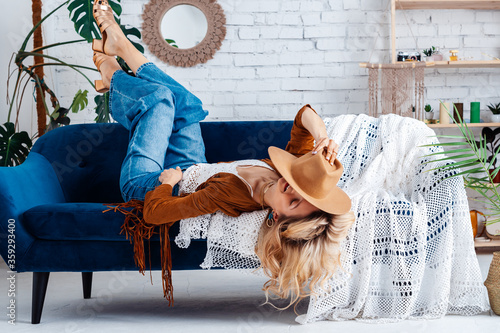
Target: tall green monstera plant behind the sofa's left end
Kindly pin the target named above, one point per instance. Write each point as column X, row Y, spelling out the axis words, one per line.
column 15, row 146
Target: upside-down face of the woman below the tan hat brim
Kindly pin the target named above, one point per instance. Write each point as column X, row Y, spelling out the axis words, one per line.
column 285, row 201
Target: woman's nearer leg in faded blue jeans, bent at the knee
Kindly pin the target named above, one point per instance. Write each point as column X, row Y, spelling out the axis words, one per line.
column 147, row 110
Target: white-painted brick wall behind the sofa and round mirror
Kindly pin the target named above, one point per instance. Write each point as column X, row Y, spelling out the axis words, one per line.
column 279, row 55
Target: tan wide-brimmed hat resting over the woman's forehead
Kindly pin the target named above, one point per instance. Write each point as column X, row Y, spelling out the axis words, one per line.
column 313, row 178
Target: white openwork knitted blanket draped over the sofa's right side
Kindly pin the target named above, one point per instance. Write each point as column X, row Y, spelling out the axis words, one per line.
column 410, row 253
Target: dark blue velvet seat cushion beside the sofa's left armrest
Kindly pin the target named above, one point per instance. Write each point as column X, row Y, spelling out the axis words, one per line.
column 74, row 221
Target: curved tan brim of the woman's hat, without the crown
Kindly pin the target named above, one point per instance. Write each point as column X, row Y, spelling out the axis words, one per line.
column 336, row 202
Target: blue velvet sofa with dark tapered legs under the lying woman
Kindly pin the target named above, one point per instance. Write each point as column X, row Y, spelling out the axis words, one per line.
column 53, row 202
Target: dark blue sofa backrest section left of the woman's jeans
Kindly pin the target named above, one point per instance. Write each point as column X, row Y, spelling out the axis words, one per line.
column 86, row 159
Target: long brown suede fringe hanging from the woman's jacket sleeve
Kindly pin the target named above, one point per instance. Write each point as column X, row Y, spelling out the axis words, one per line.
column 137, row 230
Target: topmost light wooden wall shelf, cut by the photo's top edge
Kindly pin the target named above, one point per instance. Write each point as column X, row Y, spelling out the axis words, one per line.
column 447, row 4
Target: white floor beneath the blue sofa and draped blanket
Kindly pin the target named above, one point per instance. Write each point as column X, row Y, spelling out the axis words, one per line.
column 205, row 301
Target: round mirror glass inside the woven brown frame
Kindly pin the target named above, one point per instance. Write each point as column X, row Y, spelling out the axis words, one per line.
column 184, row 26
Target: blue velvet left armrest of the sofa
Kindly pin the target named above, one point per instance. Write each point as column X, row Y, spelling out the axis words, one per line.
column 22, row 187
